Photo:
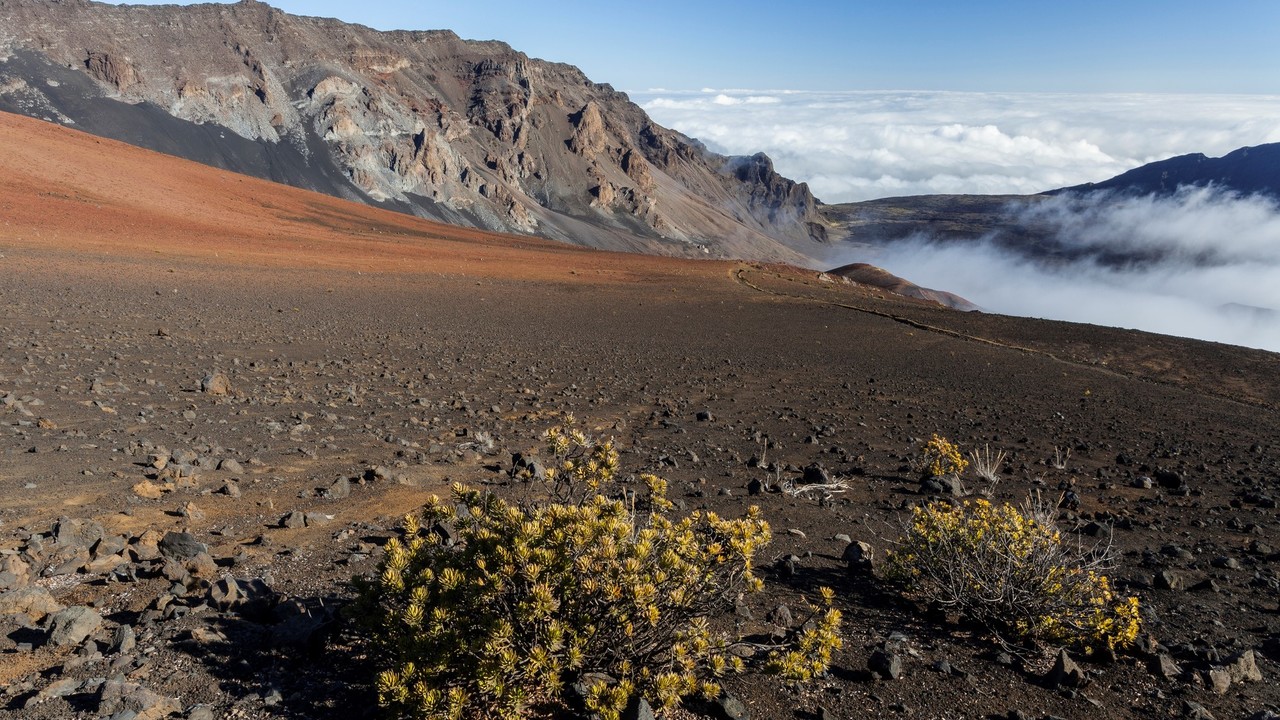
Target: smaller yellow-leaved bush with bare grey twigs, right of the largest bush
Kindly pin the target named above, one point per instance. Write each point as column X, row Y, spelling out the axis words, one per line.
column 1008, row 569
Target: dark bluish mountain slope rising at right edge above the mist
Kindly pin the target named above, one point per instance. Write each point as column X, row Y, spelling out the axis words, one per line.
column 1249, row 171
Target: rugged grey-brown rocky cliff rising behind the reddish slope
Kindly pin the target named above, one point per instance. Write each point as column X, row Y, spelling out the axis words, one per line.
column 469, row 133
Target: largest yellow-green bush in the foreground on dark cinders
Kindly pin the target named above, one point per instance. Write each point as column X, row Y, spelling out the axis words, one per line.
column 532, row 598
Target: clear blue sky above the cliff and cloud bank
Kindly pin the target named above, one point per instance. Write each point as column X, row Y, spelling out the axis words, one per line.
column 984, row 45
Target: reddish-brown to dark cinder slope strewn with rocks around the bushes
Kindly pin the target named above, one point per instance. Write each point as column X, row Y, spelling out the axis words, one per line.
column 400, row 356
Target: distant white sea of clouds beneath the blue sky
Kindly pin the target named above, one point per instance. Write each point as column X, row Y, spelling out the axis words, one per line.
column 854, row 147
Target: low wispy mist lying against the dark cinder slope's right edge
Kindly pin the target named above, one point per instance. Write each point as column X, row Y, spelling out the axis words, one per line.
column 1205, row 265
